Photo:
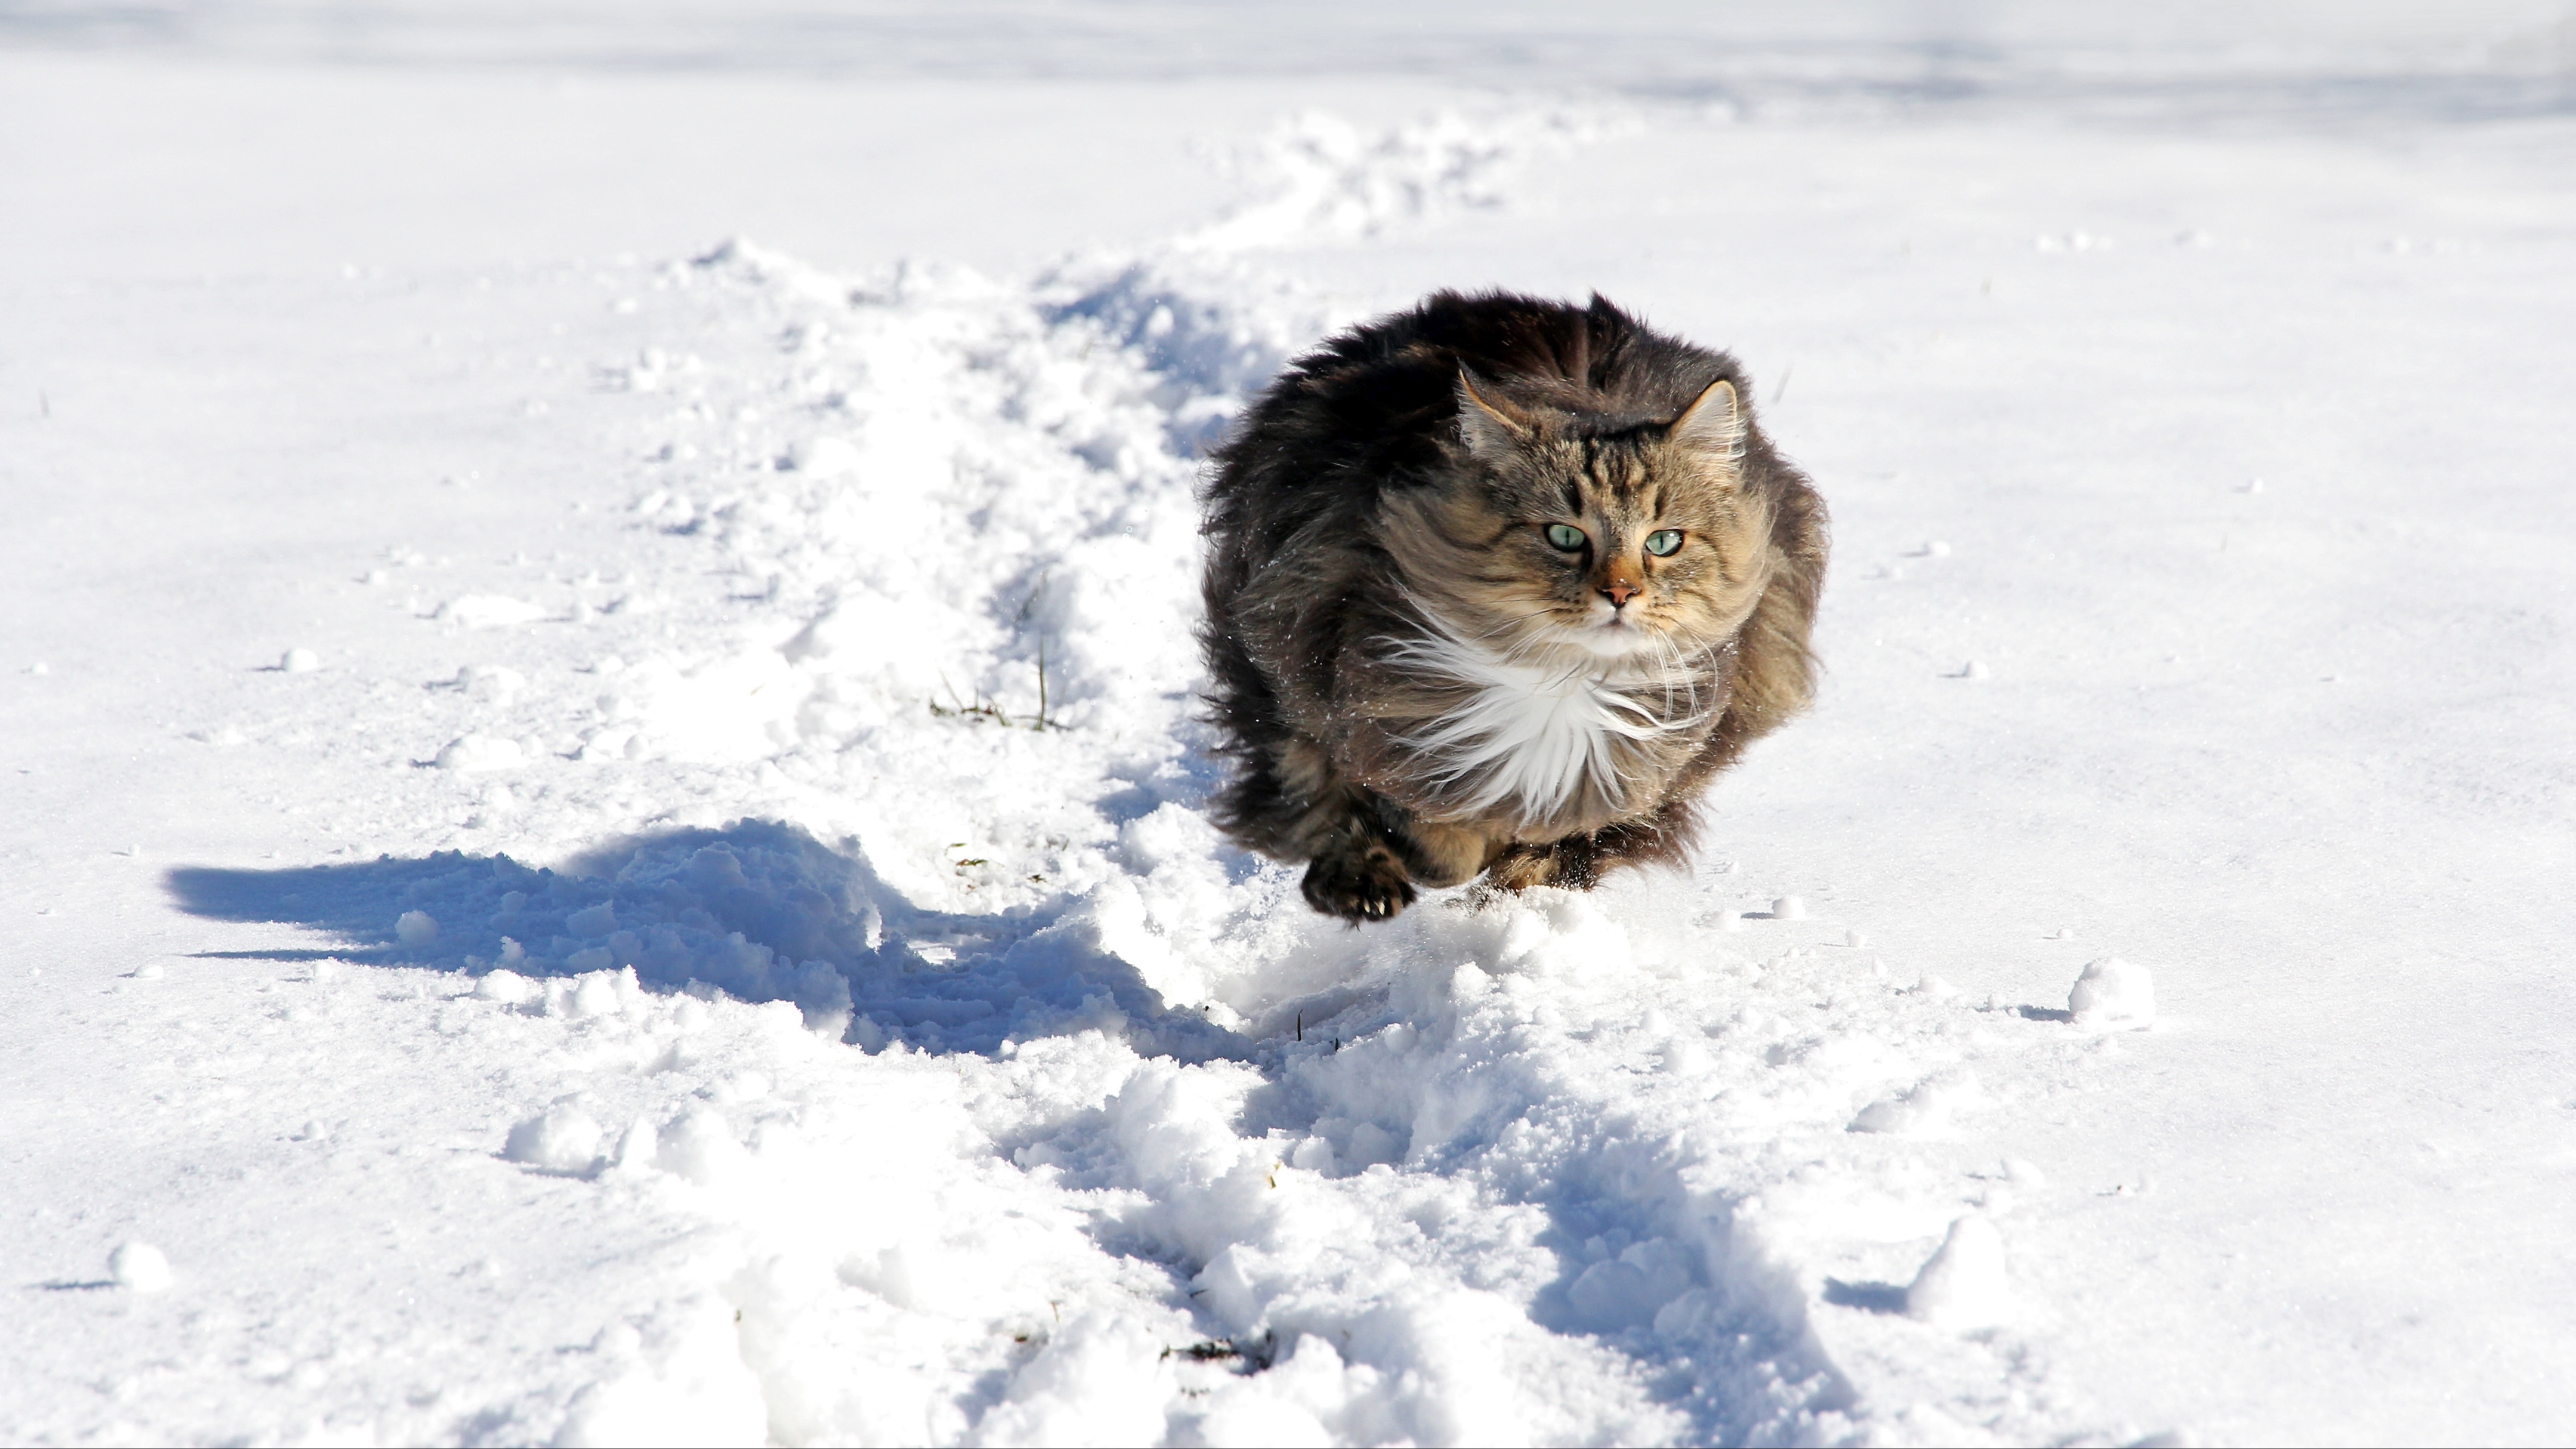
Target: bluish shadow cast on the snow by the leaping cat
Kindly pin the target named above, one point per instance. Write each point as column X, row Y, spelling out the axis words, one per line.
column 759, row 910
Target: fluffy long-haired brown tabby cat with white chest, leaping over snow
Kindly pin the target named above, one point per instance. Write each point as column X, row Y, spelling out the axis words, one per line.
column 1498, row 586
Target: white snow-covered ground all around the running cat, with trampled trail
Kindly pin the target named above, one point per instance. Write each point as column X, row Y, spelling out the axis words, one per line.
column 535, row 884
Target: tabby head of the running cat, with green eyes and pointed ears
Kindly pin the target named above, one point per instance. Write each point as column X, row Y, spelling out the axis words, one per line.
column 1567, row 531
